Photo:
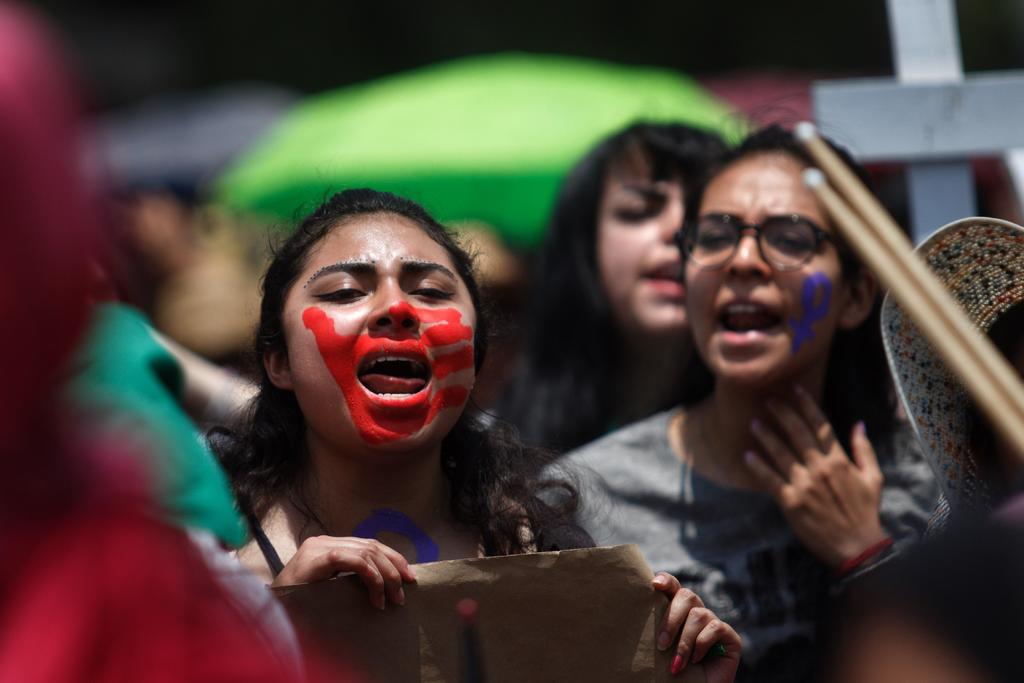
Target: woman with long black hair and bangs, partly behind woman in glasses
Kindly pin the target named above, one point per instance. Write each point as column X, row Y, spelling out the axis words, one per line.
column 607, row 340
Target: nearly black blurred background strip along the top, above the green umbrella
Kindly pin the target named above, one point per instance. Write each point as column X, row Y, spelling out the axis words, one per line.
column 130, row 51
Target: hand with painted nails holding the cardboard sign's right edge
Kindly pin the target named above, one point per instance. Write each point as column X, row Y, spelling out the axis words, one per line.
column 702, row 630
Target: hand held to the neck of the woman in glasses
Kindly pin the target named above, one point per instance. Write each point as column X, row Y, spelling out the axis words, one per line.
column 831, row 501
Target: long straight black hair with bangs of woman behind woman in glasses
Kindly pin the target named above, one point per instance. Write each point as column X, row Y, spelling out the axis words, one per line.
column 563, row 396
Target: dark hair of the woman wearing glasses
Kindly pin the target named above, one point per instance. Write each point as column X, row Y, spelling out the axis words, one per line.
column 859, row 386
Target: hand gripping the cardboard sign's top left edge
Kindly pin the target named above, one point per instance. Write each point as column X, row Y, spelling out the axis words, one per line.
column 382, row 569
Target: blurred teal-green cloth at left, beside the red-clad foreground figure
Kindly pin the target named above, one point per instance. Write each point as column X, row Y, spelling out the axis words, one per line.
column 133, row 386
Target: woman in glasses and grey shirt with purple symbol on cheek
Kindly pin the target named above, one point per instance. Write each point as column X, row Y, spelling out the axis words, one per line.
column 784, row 469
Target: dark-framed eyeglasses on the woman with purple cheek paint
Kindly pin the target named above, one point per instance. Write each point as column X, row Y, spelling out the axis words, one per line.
column 786, row 242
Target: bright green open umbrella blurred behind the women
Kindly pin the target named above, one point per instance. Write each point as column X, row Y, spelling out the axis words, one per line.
column 484, row 139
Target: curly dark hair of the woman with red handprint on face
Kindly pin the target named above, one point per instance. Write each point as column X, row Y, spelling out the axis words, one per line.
column 495, row 481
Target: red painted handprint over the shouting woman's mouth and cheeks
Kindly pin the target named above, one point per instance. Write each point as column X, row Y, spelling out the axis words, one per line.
column 396, row 386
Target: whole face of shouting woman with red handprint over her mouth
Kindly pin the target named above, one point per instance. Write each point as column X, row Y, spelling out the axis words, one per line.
column 379, row 339
